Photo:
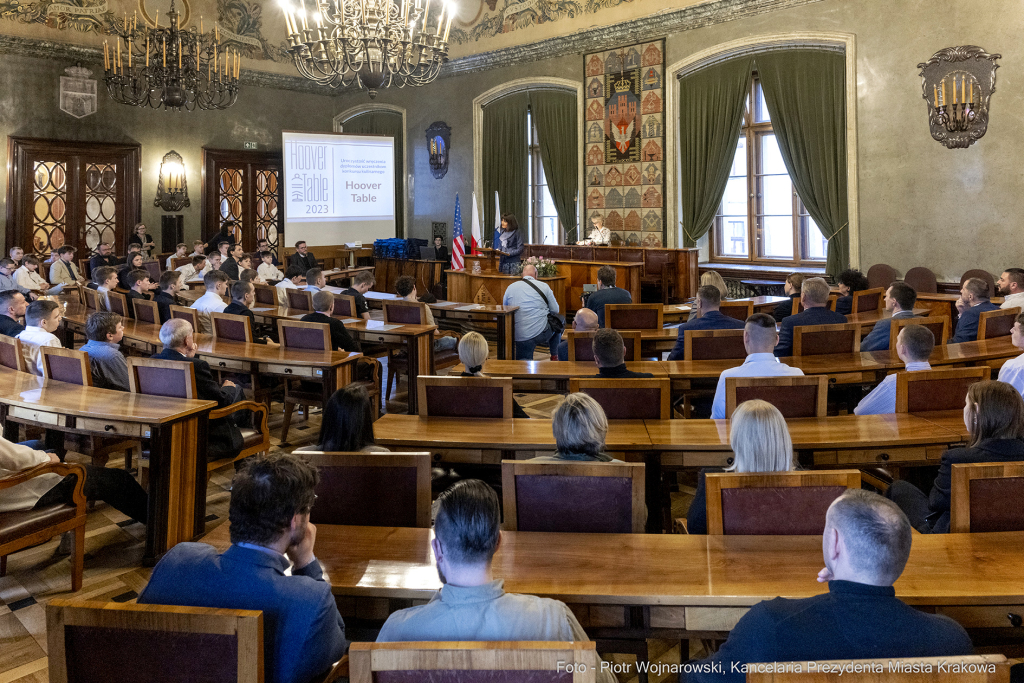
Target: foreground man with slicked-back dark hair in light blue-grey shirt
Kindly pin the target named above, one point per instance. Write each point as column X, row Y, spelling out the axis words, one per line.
column 472, row 605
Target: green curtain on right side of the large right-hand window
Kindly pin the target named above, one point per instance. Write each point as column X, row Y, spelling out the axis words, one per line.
column 805, row 92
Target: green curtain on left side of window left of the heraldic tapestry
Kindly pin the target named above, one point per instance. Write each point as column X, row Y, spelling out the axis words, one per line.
column 504, row 159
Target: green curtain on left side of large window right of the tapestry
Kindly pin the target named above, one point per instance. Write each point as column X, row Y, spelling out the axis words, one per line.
column 711, row 115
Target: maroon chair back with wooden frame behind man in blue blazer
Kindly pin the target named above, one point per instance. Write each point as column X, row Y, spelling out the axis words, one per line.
column 168, row 644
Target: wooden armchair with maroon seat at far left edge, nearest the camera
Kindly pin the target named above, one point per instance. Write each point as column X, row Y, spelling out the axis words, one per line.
column 25, row 529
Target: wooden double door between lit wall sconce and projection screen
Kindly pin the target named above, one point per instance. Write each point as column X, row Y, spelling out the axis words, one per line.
column 244, row 187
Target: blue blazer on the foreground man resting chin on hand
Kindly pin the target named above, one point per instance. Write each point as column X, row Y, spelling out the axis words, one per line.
column 304, row 633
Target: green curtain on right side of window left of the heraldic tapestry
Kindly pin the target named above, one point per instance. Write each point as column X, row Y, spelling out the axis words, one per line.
column 554, row 115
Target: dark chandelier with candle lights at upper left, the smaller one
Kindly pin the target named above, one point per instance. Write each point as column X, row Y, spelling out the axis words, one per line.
column 168, row 67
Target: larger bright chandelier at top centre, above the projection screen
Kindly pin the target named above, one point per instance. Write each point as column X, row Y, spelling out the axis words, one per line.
column 374, row 44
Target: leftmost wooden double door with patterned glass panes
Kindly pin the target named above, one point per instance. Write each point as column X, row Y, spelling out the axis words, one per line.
column 80, row 194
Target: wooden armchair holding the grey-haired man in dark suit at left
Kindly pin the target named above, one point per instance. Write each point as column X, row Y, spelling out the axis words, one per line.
column 177, row 379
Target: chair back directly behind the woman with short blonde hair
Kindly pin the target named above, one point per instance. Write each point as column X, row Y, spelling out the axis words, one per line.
column 465, row 397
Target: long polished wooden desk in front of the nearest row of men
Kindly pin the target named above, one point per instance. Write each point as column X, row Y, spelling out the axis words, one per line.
column 688, row 583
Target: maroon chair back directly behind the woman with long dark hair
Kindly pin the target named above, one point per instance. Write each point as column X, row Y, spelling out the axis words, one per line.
column 351, row 486
